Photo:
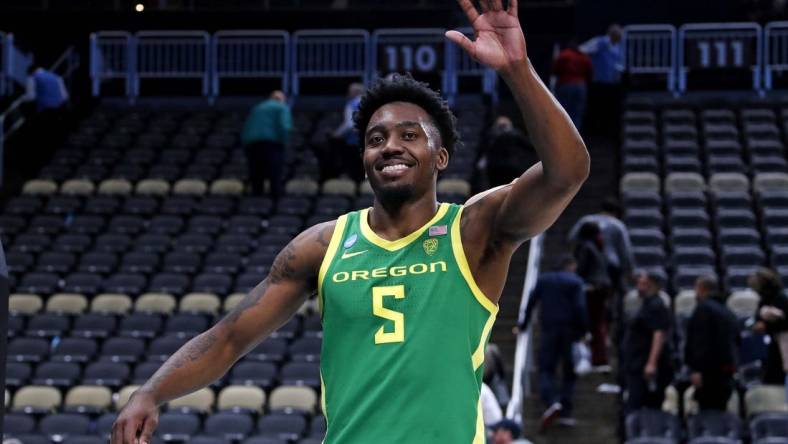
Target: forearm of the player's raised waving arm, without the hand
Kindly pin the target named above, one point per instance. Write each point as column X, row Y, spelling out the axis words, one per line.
column 554, row 136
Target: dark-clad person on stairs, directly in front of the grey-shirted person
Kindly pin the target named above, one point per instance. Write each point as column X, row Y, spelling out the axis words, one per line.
column 592, row 268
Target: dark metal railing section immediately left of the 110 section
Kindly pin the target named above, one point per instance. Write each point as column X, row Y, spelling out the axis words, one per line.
column 342, row 53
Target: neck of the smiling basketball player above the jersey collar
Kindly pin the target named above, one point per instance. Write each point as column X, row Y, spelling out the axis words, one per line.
column 397, row 221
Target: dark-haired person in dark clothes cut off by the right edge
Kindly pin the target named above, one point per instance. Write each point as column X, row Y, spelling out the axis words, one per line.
column 772, row 319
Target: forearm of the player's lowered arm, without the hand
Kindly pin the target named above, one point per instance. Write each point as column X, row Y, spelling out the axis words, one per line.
column 198, row 363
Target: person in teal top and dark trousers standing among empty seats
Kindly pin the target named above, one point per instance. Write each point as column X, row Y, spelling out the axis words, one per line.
column 264, row 137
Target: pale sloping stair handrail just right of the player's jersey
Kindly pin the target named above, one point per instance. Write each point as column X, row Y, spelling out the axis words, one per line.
column 522, row 356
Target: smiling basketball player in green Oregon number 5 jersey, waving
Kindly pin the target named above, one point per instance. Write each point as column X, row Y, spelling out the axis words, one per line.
column 409, row 288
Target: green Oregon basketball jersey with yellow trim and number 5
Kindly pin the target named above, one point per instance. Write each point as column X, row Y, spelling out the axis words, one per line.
column 404, row 332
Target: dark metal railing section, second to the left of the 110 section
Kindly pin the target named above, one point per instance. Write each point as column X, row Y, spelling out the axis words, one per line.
column 250, row 54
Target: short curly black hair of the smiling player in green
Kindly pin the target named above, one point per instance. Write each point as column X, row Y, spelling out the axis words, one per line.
column 404, row 88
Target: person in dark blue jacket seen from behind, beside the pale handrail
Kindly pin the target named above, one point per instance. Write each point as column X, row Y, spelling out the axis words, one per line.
column 563, row 320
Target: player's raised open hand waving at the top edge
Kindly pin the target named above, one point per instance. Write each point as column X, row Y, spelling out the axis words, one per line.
column 499, row 41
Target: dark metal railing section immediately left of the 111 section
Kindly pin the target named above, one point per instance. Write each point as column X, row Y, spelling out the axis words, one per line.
column 651, row 49
